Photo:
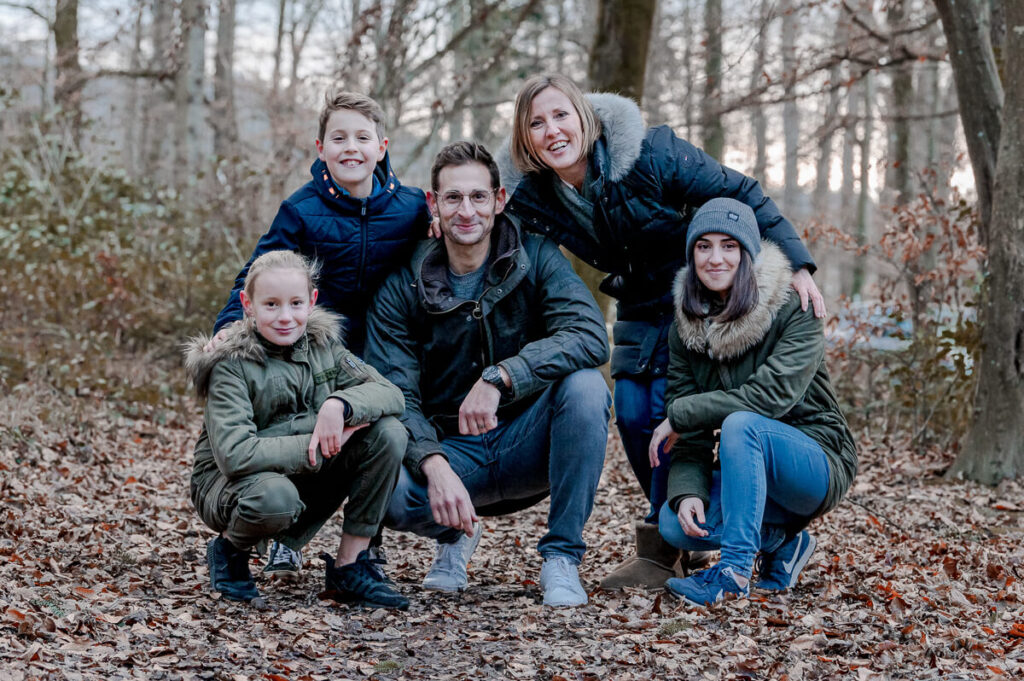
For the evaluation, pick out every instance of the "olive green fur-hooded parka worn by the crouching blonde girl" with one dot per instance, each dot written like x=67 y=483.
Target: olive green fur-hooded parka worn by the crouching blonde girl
x=263 y=400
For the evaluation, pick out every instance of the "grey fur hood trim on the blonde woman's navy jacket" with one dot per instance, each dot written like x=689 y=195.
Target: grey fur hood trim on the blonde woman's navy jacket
x=622 y=127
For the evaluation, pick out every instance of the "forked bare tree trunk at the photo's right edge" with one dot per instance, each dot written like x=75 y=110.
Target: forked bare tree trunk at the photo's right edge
x=995 y=447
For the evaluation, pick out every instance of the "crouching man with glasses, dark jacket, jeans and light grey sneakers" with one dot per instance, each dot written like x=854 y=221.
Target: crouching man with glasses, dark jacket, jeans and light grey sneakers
x=495 y=343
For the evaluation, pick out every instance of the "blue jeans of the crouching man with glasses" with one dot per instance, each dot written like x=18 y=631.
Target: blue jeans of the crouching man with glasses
x=557 y=446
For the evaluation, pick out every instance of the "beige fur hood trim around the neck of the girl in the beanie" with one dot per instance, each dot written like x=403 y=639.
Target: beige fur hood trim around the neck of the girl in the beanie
x=732 y=339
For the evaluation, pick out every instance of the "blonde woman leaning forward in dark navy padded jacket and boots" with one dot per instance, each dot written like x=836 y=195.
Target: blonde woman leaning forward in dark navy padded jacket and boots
x=587 y=173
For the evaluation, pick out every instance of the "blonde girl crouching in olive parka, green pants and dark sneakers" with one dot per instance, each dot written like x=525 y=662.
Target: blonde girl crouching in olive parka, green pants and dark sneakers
x=294 y=424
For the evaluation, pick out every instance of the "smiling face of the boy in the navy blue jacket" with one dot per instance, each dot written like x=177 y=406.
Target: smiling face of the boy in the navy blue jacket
x=352 y=150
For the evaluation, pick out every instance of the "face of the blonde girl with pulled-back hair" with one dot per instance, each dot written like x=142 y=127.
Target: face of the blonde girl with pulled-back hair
x=281 y=305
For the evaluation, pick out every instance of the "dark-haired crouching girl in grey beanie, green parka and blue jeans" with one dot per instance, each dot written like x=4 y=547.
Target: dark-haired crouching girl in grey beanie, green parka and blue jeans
x=746 y=359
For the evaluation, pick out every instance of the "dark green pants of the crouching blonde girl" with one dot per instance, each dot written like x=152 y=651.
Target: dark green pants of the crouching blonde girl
x=293 y=508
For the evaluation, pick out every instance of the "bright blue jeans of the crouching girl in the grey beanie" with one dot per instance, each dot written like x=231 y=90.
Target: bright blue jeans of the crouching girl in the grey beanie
x=773 y=478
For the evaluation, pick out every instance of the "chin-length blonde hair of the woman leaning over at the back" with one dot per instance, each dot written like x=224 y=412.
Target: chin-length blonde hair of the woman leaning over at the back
x=521 y=148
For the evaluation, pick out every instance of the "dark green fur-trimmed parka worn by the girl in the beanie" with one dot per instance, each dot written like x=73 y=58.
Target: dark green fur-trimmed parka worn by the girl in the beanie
x=771 y=362
